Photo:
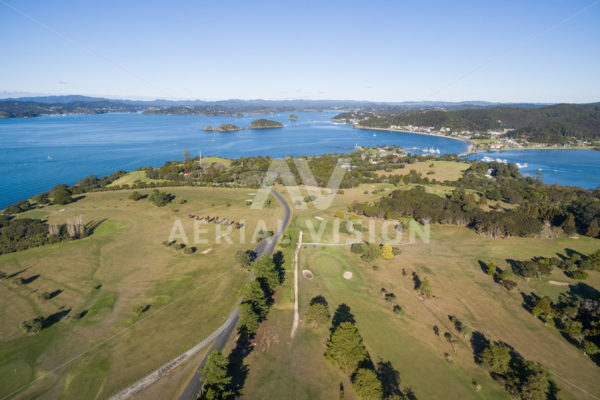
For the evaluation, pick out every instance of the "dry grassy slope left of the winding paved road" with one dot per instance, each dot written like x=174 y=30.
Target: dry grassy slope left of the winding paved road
x=125 y=256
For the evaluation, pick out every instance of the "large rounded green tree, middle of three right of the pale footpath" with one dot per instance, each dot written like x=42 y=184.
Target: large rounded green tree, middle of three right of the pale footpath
x=345 y=348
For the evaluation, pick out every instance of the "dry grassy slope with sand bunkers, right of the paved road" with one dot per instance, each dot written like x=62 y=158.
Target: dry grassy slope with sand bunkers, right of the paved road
x=297 y=369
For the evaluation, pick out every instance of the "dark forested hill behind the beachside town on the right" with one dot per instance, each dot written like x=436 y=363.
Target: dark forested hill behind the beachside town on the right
x=547 y=124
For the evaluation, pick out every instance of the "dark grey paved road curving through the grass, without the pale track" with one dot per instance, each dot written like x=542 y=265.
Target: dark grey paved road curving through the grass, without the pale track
x=263 y=247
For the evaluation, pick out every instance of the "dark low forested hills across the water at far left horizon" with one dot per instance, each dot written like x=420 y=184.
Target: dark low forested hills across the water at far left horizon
x=16 y=108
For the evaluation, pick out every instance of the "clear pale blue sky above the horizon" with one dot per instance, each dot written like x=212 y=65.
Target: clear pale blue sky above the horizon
x=364 y=50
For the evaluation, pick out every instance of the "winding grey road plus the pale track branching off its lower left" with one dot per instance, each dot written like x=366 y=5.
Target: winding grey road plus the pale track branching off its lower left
x=220 y=336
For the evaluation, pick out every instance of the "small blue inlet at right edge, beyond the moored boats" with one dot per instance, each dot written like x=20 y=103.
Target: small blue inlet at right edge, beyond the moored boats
x=565 y=167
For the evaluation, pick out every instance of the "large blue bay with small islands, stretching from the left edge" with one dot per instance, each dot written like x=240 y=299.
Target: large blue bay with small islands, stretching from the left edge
x=79 y=145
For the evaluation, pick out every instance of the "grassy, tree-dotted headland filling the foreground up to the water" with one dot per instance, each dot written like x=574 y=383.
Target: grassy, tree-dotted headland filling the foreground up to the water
x=498 y=301
